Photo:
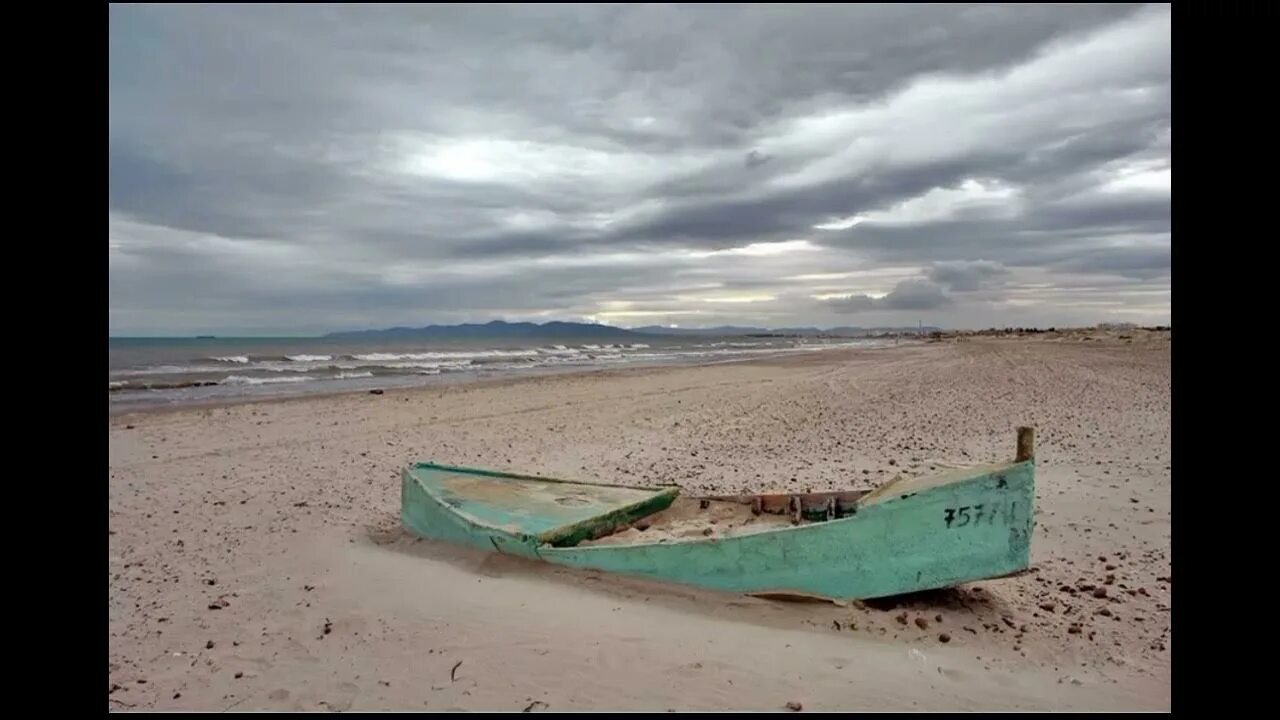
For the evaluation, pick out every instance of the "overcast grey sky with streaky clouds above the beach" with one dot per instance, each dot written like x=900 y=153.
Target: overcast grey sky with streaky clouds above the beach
x=298 y=170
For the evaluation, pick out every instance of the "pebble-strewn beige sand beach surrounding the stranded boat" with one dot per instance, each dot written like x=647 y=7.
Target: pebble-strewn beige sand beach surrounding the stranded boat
x=257 y=560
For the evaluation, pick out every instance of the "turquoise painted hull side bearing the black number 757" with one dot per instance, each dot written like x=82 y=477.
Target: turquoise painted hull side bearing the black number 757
x=894 y=545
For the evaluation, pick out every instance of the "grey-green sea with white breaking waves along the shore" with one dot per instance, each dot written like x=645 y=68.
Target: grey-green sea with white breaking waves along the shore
x=149 y=372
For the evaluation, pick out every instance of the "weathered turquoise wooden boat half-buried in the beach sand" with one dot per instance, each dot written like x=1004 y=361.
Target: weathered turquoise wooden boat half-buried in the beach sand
x=909 y=535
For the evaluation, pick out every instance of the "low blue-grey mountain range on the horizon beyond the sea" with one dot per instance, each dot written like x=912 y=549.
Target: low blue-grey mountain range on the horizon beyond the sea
x=500 y=330
